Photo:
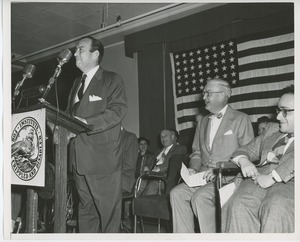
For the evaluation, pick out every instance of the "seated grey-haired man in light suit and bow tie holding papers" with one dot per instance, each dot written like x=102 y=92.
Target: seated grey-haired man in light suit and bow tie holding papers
x=217 y=136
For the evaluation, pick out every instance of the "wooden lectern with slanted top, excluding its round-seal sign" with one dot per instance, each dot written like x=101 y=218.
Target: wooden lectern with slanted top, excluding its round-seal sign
x=64 y=125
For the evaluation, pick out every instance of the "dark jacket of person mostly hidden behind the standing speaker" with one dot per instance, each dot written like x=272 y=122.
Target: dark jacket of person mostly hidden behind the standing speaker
x=130 y=149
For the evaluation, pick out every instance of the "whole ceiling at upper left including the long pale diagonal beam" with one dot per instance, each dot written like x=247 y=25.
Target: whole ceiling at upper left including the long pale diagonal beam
x=39 y=28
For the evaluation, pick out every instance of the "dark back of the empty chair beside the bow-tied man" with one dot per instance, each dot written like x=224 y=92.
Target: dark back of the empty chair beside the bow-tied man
x=174 y=170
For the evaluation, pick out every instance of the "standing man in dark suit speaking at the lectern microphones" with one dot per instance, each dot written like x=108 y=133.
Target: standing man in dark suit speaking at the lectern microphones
x=97 y=98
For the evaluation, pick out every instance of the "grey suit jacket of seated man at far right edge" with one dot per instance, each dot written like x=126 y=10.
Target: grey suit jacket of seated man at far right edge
x=259 y=148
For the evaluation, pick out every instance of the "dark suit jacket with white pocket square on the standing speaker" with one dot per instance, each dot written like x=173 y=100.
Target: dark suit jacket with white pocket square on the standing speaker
x=104 y=105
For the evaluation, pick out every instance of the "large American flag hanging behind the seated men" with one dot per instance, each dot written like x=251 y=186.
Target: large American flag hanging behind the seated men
x=257 y=67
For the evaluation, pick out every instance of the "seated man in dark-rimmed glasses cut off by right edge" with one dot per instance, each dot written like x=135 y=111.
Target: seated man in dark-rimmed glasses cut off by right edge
x=265 y=201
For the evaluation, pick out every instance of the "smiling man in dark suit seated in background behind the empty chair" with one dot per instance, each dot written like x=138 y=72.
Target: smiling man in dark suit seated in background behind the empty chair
x=159 y=162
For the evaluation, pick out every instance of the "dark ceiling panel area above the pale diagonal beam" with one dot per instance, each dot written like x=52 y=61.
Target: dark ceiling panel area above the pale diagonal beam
x=36 y=26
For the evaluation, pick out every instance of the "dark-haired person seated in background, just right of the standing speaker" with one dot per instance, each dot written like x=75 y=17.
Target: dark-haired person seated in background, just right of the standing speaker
x=143 y=155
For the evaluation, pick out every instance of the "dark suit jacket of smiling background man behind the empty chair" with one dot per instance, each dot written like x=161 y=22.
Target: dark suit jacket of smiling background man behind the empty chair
x=175 y=149
